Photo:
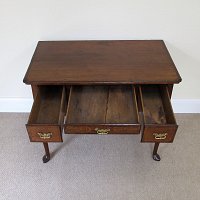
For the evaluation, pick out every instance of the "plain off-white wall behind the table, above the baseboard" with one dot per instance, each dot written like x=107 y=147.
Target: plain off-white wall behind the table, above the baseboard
x=23 y=23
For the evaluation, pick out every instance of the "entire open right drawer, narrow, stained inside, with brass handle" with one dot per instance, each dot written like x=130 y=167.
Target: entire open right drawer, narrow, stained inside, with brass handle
x=159 y=124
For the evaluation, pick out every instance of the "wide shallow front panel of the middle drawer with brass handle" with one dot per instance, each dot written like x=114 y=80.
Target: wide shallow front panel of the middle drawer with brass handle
x=102 y=129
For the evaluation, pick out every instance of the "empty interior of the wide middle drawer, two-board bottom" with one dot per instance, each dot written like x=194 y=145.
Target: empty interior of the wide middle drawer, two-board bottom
x=102 y=105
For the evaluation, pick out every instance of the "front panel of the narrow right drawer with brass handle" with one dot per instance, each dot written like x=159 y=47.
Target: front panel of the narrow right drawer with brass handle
x=159 y=133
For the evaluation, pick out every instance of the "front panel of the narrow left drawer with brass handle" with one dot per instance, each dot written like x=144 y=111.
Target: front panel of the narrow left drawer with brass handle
x=44 y=133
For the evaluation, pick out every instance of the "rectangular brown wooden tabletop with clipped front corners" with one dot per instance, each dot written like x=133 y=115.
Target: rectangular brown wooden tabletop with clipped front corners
x=101 y=62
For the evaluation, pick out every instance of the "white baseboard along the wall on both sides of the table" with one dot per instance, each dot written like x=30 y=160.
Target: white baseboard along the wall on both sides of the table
x=24 y=105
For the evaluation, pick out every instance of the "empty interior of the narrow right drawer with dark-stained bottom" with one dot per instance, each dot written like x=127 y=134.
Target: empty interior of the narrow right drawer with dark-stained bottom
x=156 y=105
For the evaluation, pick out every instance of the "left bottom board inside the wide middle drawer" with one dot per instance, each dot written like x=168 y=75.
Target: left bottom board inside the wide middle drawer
x=87 y=104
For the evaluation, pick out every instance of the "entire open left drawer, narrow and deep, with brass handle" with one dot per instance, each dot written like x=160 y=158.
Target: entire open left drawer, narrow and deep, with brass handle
x=47 y=115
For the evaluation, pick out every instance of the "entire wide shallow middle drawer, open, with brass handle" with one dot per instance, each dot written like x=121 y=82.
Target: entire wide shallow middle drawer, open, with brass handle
x=102 y=110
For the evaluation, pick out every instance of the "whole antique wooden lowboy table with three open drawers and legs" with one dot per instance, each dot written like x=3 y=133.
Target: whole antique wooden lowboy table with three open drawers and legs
x=102 y=87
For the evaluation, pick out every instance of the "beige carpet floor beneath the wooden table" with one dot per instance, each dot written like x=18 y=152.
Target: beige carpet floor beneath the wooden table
x=93 y=167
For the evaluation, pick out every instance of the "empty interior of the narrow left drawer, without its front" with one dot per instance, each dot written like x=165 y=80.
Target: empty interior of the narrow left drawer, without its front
x=47 y=105
